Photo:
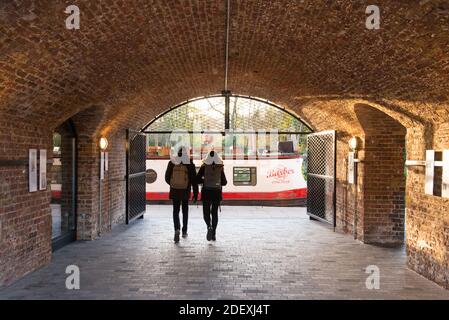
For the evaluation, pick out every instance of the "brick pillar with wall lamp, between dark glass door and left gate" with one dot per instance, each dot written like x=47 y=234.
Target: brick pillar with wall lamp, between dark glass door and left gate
x=89 y=129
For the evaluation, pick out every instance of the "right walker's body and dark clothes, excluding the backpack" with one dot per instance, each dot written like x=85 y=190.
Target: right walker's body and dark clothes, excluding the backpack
x=211 y=197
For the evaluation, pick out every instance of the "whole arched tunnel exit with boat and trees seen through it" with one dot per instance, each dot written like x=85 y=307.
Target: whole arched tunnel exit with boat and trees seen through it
x=263 y=146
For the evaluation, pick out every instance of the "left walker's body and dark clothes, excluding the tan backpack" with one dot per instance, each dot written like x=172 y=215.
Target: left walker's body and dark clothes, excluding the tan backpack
x=181 y=197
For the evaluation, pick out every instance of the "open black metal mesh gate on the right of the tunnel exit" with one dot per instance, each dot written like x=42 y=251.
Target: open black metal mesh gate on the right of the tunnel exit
x=321 y=178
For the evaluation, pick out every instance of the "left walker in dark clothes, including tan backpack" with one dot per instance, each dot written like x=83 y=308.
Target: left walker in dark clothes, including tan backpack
x=181 y=176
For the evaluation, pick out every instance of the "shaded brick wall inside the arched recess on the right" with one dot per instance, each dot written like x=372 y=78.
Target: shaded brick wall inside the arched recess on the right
x=384 y=180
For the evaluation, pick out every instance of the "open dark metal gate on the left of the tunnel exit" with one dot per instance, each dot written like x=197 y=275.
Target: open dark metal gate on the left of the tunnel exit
x=135 y=175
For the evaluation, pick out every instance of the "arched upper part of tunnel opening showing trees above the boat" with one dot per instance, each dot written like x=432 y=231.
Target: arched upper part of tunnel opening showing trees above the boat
x=246 y=126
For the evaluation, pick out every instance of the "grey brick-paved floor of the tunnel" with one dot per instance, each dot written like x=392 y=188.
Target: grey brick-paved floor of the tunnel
x=260 y=253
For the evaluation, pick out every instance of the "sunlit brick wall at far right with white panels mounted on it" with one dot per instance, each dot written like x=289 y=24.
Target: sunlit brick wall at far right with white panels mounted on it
x=427 y=216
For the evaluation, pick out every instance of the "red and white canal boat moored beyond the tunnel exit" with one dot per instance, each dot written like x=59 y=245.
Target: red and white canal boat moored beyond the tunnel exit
x=275 y=179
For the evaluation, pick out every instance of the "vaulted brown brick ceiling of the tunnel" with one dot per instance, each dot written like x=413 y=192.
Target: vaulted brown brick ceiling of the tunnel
x=137 y=58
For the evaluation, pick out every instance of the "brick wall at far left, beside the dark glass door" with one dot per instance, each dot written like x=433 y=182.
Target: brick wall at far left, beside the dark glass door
x=25 y=240
